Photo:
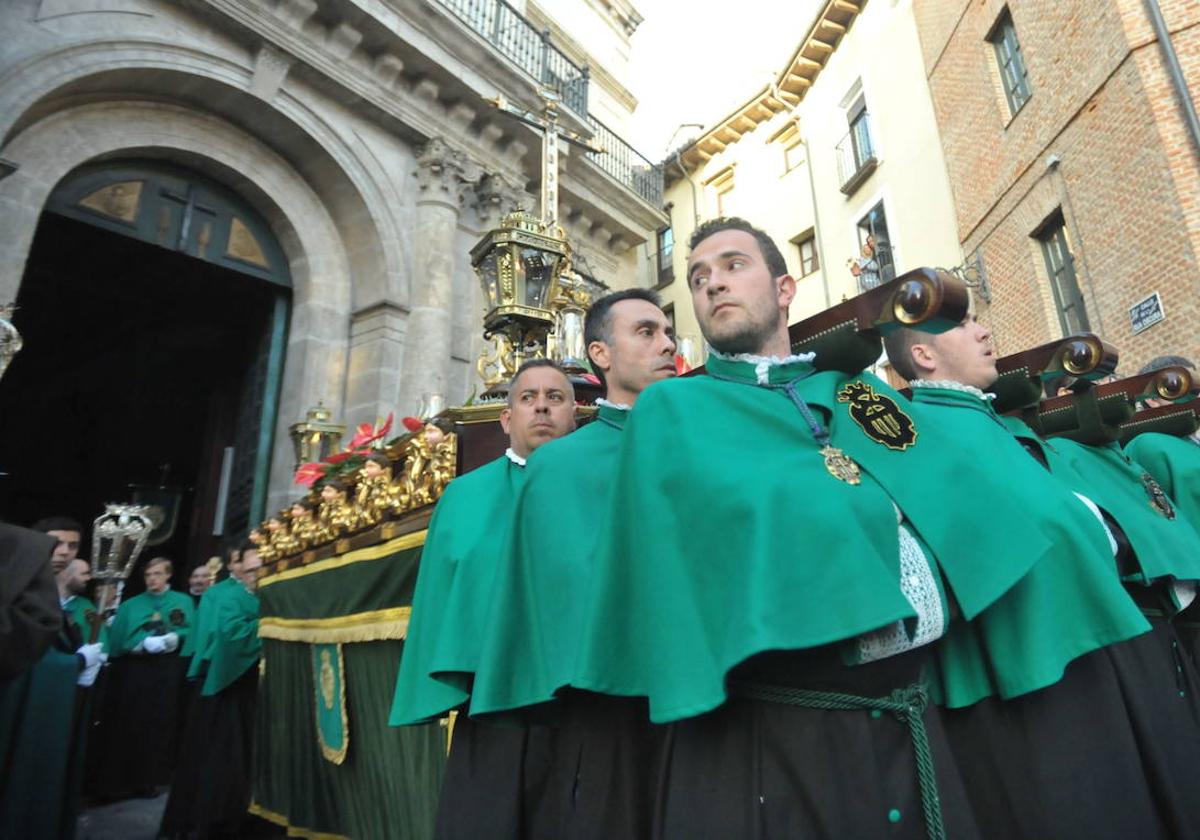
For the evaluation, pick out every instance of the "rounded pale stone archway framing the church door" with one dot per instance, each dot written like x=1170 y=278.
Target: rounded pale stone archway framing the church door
x=321 y=271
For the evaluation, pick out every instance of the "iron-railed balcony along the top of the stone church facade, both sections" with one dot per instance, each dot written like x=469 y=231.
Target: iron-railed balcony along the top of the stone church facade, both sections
x=521 y=43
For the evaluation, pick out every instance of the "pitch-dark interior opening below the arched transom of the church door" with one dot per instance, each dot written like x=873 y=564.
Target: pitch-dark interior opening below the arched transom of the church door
x=135 y=358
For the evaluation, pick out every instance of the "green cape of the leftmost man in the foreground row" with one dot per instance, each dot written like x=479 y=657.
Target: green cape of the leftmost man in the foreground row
x=454 y=592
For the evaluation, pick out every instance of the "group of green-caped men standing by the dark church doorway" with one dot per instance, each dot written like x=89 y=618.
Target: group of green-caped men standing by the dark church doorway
x=119 y=704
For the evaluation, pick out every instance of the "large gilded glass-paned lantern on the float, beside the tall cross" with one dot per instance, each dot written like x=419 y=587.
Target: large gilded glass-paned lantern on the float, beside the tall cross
x=519 y=266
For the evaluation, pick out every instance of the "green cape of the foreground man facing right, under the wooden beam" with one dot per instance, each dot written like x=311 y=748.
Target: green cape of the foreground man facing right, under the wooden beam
x=1070 y=604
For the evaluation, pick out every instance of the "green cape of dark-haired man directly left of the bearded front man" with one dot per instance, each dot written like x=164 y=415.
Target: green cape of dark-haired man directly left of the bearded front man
x=532 y=638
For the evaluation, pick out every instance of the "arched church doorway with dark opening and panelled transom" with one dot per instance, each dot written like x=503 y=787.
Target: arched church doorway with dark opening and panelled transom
x=154 y=315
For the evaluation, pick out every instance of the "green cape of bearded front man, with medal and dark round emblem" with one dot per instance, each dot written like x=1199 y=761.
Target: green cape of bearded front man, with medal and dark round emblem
x=728 y=537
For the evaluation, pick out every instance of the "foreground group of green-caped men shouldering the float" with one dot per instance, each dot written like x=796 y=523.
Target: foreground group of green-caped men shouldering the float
x=782 y=602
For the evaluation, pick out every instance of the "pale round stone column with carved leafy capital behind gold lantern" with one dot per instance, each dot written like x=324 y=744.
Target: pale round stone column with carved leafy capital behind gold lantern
x=445 y=178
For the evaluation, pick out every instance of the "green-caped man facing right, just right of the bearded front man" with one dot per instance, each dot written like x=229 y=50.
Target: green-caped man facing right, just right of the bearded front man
x=1101 y=749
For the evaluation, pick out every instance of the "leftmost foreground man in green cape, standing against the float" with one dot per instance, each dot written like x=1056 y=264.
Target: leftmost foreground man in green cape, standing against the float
x=454 y=592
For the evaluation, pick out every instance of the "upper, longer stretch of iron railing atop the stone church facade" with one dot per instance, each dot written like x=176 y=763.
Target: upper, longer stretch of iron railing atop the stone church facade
x=519 y=40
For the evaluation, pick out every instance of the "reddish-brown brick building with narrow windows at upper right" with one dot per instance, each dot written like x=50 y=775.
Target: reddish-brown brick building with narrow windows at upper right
x=1073 y=171
